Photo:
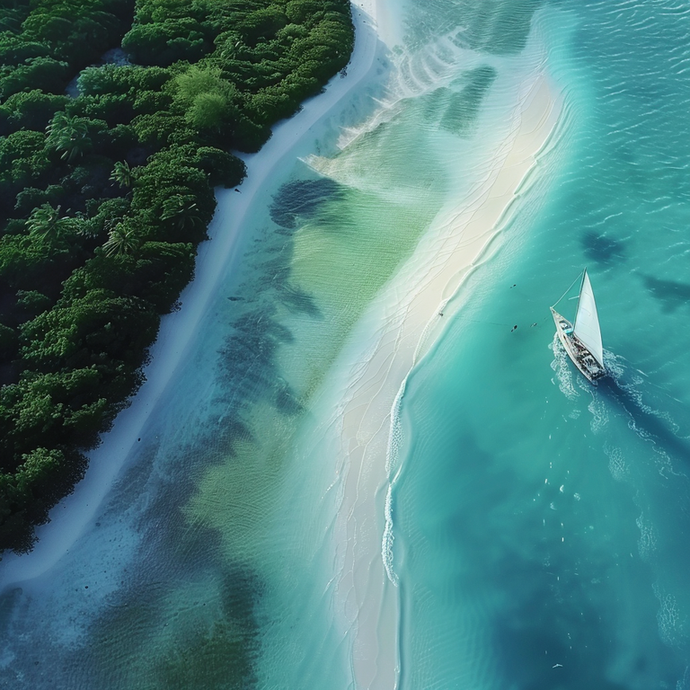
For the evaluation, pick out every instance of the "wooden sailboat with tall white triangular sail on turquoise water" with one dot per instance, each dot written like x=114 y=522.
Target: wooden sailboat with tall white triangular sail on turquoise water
x=582 y=341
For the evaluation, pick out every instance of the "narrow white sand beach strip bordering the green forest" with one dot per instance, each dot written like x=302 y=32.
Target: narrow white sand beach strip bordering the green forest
x=215 y=258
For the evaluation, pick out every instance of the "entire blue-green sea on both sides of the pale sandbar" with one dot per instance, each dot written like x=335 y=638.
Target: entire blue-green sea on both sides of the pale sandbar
x=541 y=524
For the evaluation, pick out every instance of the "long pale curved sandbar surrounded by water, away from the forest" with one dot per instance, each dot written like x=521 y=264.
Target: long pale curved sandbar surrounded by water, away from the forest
x=410 y=315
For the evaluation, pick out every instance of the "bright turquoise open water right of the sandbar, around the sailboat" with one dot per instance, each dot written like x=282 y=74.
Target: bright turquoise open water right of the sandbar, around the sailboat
x=543 y=522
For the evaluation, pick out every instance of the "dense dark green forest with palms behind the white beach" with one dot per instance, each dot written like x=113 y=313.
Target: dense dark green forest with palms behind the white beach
x=105 y=195
